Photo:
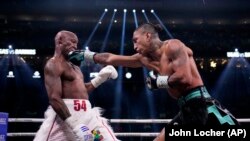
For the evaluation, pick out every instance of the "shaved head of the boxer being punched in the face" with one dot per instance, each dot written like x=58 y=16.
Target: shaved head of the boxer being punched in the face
x=65 y=42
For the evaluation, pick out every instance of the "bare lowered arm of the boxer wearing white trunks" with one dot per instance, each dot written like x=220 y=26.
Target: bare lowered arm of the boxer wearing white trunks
x=53 y=85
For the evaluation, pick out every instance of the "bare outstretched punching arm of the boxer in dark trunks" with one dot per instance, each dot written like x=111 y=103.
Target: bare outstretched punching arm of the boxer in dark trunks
x=118 y=60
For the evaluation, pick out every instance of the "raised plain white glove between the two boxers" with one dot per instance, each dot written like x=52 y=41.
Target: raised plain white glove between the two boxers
x=105 y=74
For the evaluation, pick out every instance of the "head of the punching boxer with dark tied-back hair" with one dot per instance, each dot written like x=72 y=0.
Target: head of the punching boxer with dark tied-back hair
x=144 y=37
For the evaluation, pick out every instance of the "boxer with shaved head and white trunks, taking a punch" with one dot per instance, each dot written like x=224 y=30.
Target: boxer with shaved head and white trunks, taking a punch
x=70 y=116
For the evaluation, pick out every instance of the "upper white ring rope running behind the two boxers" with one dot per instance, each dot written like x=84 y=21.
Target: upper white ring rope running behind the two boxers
x=114 y=120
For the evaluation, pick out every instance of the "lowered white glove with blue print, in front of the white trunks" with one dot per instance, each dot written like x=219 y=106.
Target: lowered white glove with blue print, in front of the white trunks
x=81 y=131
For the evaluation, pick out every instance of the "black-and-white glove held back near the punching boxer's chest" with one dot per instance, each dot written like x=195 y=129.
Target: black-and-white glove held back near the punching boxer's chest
x=155 y=82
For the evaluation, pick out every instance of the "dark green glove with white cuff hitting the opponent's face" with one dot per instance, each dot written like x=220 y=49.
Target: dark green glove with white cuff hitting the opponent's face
x=77 y=56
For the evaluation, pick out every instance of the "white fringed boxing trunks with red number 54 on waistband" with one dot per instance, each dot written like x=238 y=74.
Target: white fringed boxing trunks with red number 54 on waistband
x=54 y=129
